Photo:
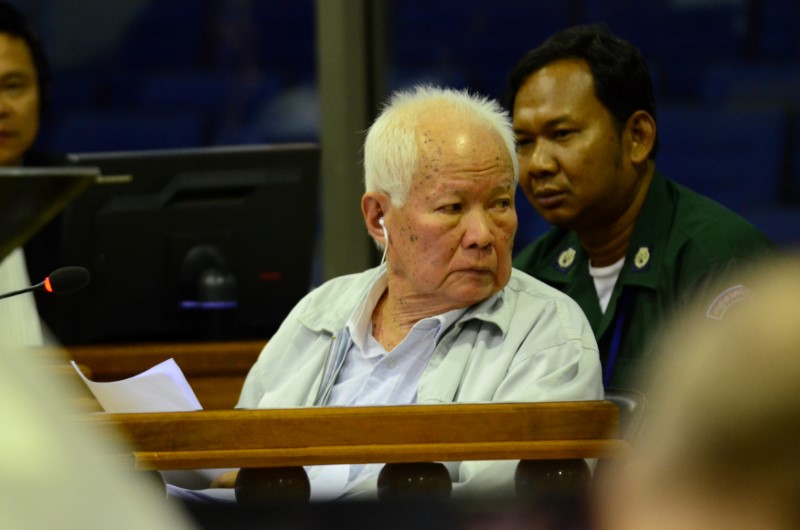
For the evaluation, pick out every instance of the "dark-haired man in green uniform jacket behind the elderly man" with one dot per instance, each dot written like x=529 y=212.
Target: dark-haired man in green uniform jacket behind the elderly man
x=627 y=244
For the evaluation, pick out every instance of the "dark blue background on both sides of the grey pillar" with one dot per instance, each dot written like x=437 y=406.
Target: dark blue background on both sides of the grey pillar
x=143 y=74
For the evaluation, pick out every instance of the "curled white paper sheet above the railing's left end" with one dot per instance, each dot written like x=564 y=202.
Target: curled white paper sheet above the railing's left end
x=162 y=388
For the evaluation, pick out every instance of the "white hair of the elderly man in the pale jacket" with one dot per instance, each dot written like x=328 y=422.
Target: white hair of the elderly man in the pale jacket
x=390 y=149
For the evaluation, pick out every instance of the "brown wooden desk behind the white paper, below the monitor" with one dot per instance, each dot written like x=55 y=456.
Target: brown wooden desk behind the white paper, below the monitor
x=215 y=370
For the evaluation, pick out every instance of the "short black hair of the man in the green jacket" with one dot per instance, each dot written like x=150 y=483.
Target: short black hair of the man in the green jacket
x=621 y=78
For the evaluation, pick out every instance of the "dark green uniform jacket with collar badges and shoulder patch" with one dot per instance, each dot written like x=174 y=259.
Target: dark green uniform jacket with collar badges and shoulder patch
x=681 y=240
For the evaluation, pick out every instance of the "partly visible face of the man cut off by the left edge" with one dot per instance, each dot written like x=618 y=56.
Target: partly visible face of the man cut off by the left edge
x=19 y=100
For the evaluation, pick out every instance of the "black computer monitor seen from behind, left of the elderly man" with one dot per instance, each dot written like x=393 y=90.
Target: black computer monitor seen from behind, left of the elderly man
x=189 y=244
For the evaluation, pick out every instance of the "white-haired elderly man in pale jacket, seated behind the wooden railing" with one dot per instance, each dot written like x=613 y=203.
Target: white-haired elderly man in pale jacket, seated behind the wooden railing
x=445 y=319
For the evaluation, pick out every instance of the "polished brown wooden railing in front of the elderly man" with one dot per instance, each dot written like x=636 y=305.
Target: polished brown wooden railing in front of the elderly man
x=284 y=439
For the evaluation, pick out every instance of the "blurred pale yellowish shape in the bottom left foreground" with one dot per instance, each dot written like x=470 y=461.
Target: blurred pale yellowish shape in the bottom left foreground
x=59 y=471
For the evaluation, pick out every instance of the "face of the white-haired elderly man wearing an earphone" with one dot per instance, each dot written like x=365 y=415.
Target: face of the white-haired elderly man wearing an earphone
x=451 y=241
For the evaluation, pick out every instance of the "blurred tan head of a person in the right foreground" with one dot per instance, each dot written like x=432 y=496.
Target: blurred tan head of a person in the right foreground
x=720 y=449
